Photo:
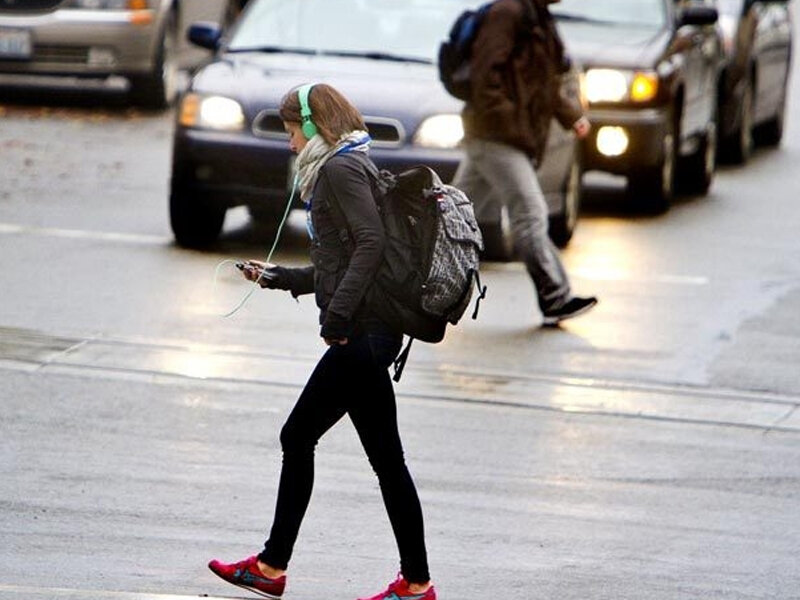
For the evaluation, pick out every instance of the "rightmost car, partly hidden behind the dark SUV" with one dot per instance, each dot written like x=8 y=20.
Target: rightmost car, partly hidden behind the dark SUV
x=757 y=36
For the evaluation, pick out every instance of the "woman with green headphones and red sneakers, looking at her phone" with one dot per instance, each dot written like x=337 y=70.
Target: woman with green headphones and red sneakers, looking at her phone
x=328 y=134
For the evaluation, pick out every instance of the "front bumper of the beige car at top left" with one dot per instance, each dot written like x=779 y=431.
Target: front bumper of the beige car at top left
x=79 y=42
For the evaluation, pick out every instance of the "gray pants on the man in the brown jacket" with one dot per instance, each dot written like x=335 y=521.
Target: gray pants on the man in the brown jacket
x=492 y=173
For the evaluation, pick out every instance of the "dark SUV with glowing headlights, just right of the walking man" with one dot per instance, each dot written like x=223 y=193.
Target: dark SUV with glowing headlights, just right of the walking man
x=652 y=69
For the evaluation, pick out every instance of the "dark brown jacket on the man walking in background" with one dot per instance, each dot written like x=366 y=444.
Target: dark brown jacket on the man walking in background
x=516 y=68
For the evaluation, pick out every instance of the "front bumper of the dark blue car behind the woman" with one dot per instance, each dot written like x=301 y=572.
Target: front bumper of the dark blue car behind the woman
x=232 y=169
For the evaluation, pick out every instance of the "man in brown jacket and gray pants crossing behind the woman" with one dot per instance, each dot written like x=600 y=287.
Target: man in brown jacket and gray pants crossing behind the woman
x=516 y=67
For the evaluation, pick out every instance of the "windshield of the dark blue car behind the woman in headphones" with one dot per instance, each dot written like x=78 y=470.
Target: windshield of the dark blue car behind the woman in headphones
x=402 y=30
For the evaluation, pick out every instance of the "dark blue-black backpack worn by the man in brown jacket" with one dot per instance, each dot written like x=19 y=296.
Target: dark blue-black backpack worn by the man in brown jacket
x=455 y=52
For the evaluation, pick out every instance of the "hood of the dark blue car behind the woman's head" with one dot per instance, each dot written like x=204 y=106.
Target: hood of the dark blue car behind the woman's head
x=376 y=87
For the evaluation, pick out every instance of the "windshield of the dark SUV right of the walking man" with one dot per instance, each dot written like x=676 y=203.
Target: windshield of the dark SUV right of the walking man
x=641 y=13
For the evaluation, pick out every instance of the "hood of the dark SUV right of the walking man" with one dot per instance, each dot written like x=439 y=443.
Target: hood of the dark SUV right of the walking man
x=596 y=45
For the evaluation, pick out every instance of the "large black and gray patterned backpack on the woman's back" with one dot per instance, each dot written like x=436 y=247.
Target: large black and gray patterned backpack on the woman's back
x=430 y=262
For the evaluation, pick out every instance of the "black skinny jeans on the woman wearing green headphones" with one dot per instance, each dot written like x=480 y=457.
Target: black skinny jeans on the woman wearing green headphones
x=352 y=379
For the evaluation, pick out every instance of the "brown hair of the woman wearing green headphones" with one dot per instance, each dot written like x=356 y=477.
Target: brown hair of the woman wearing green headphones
x=331 y=112
